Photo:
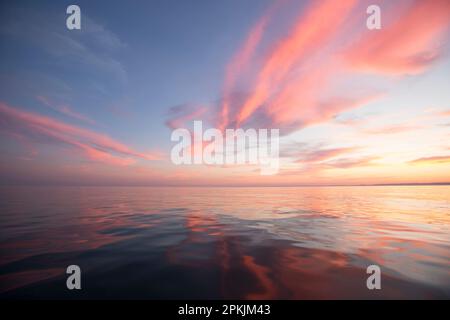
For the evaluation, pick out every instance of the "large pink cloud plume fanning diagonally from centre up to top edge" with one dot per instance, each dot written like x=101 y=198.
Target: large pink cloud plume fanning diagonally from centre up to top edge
x=291 y=89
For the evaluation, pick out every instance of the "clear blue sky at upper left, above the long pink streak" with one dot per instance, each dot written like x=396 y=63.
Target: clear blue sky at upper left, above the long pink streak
x=136 y=59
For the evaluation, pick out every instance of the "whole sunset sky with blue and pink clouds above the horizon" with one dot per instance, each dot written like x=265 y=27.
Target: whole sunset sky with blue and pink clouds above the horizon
x=97 y=106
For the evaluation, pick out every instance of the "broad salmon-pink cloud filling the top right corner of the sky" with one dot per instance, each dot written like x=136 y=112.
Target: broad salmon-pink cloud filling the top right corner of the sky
x=407 y=45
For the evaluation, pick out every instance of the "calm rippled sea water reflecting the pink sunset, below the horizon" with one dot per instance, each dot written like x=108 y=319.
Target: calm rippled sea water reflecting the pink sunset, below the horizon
x=252 y=243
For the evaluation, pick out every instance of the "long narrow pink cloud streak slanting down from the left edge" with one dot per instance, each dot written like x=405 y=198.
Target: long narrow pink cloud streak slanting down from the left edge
x=93 y=145
